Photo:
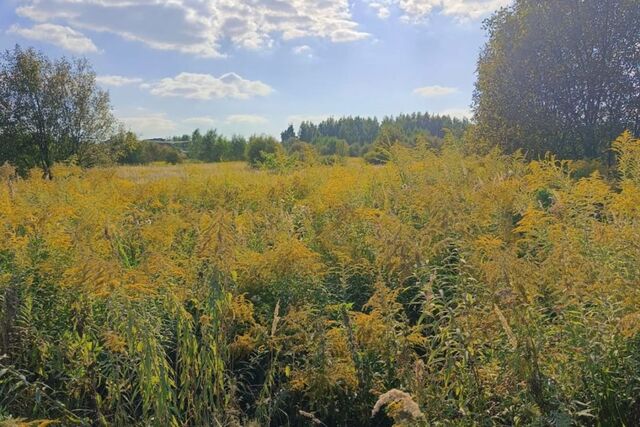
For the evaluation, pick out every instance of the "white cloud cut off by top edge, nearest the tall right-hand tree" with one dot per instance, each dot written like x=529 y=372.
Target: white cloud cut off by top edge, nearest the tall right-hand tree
x=418 y=10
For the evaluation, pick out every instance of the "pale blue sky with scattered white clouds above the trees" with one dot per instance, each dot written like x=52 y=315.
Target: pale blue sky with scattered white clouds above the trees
x=255 y=66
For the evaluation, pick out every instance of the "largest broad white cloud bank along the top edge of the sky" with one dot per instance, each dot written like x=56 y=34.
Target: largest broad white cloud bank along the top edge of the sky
x=200 y=27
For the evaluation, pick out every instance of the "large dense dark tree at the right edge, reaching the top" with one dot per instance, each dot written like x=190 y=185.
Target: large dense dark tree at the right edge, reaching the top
x=559 y=76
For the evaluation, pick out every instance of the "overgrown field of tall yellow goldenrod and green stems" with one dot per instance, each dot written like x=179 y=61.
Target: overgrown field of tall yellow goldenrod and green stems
x=438 y=289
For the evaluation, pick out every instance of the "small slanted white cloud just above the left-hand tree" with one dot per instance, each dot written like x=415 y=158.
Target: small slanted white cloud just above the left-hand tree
x=61 y=36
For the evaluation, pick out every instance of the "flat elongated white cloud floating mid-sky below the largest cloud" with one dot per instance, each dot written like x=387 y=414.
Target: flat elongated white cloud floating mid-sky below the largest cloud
x=206 y=86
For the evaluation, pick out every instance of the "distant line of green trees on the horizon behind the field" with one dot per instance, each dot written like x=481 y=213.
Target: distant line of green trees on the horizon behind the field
x=343 y=136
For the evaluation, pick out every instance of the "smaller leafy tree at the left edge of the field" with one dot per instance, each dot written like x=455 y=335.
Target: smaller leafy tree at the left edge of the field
x=51 y=111
